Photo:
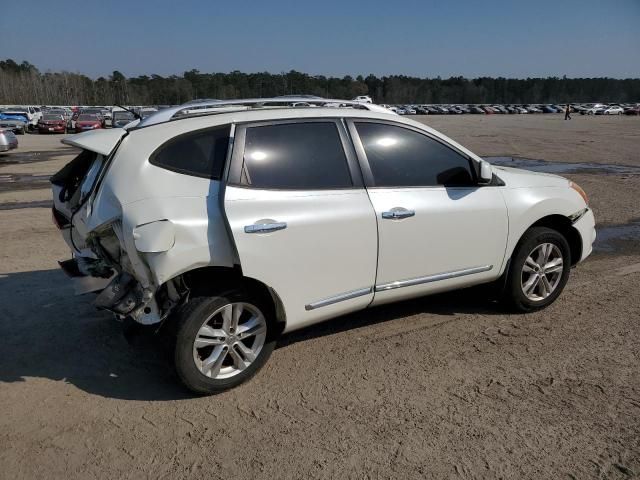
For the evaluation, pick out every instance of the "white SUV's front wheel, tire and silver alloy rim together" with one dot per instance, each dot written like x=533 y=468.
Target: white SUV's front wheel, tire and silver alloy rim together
x=539 y=269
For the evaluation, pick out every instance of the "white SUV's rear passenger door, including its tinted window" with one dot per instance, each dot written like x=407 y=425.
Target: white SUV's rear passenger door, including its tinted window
x=300 y=217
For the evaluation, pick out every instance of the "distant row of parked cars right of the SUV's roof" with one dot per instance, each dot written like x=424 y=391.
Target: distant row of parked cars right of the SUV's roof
x=584 y=109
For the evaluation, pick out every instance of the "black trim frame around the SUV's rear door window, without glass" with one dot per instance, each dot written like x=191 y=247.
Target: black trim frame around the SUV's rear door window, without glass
x=237 y=156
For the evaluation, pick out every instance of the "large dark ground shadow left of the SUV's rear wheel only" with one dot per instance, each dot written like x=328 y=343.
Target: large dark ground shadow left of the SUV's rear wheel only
x=47 y=332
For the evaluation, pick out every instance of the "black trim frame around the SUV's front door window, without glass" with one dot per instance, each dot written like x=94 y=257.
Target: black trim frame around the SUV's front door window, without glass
x=366 y=168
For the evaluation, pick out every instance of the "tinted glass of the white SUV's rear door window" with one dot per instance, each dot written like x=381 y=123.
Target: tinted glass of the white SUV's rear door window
x=295 y=156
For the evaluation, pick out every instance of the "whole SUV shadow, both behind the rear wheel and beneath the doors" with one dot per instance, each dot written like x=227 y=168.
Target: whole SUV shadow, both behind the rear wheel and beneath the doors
x=49 y=333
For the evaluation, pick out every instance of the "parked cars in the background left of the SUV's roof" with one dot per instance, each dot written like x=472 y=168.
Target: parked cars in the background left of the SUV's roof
x=22 y=119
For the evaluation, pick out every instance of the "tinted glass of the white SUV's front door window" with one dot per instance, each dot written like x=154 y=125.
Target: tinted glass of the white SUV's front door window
x=402 y=157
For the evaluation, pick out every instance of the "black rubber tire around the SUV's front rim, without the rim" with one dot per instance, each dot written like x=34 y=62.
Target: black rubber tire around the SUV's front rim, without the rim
x=514 y=295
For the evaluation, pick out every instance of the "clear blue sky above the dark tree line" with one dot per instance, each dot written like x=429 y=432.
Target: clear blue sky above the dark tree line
x=517 y=38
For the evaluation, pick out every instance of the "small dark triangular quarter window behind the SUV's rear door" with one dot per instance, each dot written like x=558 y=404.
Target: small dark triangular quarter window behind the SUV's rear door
x=200 y=154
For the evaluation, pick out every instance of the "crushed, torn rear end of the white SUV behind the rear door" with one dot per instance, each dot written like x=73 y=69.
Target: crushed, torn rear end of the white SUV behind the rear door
x=121 y=217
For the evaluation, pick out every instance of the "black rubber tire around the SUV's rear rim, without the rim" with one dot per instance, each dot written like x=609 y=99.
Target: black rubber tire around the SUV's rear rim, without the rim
x=188 y=321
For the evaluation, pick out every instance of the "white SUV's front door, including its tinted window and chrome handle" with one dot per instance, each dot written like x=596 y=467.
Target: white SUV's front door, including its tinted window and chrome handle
x=438 y=229
